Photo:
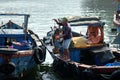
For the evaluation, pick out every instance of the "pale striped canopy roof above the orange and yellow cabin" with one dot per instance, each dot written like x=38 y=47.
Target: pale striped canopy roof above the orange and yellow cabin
x=84 y=21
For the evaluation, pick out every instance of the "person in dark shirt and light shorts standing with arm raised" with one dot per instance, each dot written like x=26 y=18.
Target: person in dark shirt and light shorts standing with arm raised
x=67 y=36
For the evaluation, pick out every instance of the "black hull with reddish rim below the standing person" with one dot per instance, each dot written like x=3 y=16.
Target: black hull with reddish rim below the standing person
x=79 y=71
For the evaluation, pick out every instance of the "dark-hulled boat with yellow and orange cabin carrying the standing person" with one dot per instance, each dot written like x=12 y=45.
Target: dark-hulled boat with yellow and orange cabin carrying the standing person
x=90 y=58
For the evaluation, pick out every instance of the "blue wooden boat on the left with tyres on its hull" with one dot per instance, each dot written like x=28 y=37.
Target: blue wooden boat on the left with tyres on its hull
x=20 y=48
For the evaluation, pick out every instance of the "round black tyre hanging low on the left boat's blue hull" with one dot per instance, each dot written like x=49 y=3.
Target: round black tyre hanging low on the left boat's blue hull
x=7 y=68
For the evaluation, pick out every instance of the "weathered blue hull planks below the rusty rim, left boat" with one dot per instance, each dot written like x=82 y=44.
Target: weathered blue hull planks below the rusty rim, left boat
x=21 y=64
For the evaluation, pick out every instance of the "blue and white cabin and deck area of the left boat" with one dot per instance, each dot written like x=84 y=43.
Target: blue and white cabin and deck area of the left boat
x=14 y=35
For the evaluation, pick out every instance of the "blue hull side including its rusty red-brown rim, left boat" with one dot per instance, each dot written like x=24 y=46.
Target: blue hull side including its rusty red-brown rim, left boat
x=23 y=60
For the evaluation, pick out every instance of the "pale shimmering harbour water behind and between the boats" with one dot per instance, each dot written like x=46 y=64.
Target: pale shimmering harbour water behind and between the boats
x=43 y=11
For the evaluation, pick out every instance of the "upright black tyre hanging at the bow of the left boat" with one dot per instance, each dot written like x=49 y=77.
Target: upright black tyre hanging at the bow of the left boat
x=39 y=56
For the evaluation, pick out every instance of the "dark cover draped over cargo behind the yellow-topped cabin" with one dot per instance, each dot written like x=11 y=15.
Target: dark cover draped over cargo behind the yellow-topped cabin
x=103 y=55
